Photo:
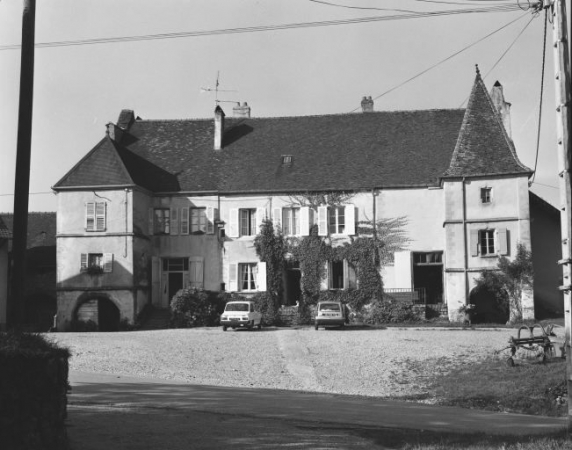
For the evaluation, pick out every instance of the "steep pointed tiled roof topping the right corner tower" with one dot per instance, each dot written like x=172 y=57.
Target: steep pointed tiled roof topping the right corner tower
x=483 y=147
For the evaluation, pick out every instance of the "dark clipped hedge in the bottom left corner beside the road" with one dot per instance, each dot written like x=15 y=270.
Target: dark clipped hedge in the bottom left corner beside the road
x=33 y=393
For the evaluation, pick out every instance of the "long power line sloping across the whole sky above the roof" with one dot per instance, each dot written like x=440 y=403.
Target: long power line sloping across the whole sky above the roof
x=255 y=29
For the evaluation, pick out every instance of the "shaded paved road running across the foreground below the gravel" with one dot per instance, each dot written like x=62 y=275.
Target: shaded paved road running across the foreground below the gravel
x=136 y=413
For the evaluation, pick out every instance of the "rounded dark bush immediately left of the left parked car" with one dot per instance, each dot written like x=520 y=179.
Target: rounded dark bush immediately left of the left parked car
x=196 y=308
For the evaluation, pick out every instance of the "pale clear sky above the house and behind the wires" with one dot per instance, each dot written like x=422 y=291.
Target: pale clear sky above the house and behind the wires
x=293 y=71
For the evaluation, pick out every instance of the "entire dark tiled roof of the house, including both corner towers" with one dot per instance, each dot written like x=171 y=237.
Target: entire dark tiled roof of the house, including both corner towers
x=330 y=152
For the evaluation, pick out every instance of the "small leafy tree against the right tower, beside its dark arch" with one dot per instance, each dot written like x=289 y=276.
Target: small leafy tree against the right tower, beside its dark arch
x=509 y=280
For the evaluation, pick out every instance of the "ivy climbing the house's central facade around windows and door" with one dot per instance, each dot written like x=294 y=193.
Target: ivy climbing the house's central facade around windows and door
x=371 y=248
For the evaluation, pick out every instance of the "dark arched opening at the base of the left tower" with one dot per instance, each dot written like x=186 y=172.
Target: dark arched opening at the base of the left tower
x=99 y=308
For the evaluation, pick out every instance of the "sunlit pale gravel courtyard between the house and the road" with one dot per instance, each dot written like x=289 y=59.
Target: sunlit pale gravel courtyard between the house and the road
x=373 y=362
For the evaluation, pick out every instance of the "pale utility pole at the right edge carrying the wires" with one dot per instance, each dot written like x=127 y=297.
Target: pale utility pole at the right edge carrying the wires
x=564 y=149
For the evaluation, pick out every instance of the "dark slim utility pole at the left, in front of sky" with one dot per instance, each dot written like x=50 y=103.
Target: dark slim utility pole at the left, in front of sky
x=23 y=154
